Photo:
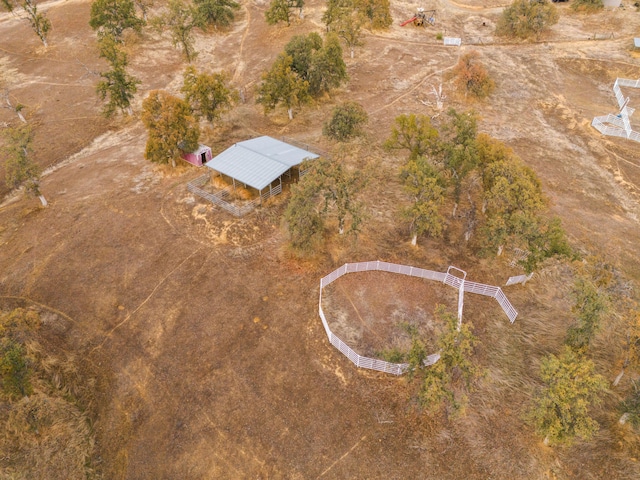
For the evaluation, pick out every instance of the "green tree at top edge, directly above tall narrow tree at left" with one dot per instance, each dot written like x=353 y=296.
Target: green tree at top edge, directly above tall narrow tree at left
x=113 y=17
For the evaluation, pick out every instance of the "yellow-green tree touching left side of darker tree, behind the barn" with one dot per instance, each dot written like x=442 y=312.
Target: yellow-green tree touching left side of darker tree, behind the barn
x=282 y=85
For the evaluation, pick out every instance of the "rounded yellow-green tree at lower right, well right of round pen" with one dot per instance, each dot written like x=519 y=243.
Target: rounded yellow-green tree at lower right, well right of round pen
x=560 y=409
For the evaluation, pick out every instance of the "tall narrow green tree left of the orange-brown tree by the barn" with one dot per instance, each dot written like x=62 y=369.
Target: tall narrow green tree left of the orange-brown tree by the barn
x=116 y=84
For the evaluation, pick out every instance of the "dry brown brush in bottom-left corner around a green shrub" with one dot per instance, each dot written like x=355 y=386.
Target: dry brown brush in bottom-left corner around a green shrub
x=47 y=435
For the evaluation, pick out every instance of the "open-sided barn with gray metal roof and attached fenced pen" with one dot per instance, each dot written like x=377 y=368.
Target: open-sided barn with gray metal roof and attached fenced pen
x=257 y=166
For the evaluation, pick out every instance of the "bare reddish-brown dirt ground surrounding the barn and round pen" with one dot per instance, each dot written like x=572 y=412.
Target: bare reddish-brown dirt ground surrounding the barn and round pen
x=208 y=331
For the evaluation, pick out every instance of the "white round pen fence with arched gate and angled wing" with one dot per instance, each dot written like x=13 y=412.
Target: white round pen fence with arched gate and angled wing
x=461 y=284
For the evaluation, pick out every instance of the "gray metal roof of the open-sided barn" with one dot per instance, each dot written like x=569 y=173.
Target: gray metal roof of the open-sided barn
x=259 y=161
